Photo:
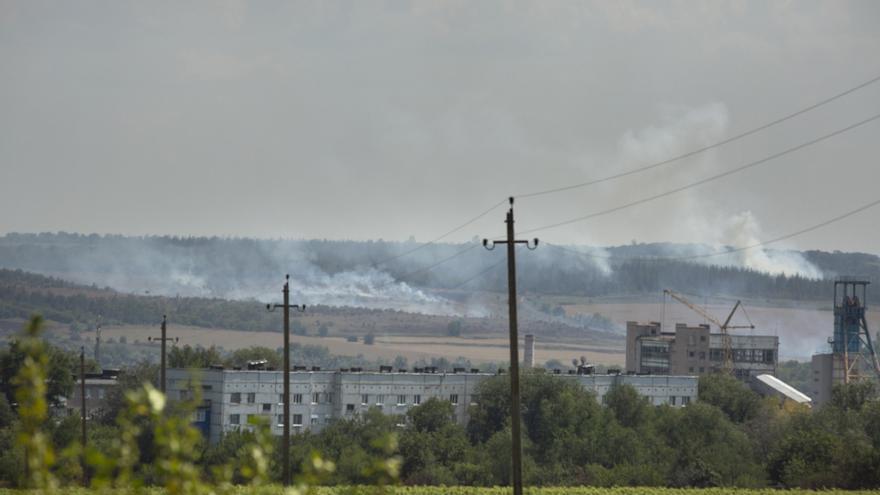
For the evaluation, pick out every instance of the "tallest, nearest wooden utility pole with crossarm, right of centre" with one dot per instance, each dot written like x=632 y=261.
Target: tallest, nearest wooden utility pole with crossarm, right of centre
x=515 y=413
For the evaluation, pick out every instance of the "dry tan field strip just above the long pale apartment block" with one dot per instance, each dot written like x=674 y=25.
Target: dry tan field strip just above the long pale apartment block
x=476 y=349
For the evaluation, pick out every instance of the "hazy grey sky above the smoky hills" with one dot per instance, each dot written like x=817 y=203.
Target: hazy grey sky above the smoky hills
x=385 y=119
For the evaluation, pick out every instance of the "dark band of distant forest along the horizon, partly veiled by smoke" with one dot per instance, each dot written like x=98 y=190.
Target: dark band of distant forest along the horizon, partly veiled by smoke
x=225 y=263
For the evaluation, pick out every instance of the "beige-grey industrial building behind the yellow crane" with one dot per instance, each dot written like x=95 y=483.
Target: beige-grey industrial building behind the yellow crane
x=694 y=350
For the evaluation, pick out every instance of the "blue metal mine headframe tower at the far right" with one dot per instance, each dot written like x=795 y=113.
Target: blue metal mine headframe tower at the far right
x=851 y=343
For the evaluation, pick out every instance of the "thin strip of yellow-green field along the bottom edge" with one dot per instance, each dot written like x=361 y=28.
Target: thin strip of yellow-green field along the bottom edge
x=468 y=490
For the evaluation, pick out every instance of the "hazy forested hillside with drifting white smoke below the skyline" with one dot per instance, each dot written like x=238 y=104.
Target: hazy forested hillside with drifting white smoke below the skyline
x=370 y=273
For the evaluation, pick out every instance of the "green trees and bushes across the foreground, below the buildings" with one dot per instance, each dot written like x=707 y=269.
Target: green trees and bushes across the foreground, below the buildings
x=729 y=438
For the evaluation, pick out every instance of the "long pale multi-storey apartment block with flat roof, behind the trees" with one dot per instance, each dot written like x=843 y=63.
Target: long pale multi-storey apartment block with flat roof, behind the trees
x=230 y=397
